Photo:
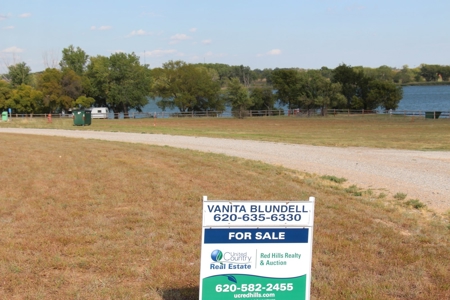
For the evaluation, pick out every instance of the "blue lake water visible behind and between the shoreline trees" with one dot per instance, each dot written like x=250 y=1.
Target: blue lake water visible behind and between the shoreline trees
x=415 y=98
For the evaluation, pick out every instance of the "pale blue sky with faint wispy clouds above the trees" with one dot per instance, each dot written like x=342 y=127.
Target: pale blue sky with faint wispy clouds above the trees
x=260 y=34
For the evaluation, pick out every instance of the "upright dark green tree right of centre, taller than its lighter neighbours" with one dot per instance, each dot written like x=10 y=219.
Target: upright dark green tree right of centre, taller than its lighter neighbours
x=287 y=83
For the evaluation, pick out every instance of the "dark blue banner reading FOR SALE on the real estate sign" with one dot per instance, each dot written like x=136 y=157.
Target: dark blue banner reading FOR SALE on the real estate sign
x=247 y=235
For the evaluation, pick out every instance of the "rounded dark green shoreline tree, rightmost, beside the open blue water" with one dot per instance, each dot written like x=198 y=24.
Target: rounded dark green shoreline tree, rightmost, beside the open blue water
x=385 y=94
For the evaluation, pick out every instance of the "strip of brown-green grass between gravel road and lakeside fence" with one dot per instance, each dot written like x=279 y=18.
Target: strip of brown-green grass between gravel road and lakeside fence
x=376 y=131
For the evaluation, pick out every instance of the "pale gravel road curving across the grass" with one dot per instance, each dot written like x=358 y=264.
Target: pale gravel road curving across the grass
x=421 y=175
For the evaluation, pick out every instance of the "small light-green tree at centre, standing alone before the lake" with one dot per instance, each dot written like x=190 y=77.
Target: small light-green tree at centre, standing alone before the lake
x=237 y=96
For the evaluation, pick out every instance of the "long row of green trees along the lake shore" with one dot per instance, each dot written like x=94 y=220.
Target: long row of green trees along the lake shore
x=120 y=82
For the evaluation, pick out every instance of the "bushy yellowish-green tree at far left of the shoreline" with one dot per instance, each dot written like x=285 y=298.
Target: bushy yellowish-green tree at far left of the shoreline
x=25 y=99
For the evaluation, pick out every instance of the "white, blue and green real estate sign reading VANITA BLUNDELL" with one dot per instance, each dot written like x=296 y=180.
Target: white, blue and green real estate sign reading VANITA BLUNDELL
x=256 y=250
